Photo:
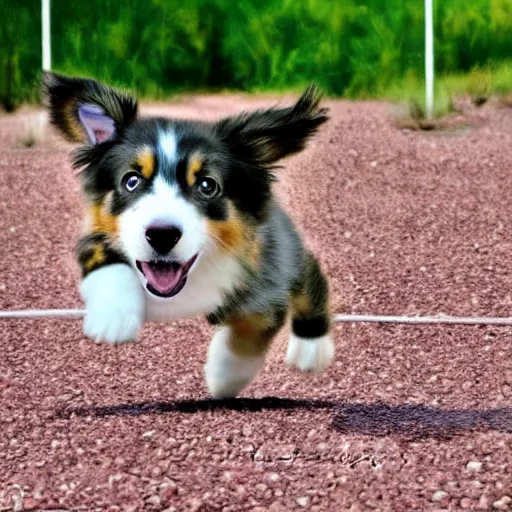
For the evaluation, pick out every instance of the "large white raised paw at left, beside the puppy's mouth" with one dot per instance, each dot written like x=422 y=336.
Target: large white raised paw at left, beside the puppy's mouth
x=114 y=304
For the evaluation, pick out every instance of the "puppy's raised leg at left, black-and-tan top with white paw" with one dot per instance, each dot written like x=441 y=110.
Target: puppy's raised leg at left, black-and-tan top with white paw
x=114 y=298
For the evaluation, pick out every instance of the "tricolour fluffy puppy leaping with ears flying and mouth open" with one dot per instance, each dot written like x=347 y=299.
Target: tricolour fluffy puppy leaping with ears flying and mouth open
x=182 y=221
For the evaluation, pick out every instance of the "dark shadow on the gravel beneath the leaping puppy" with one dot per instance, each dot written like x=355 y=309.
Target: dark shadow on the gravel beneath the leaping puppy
x=413 y=422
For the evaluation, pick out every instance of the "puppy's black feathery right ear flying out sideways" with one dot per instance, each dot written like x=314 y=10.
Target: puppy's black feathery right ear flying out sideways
x=265 y=136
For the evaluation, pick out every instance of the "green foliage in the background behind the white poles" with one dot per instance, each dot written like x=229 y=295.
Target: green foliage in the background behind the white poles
x=157 y=47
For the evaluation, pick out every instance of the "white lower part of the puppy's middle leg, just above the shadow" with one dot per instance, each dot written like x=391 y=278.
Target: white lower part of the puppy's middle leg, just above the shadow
x=226 y=373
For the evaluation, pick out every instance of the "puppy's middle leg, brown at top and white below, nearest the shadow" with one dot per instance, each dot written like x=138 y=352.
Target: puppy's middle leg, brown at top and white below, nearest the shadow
x=237 y=352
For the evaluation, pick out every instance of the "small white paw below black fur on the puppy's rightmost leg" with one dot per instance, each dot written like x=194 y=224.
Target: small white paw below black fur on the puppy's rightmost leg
x=310 y=354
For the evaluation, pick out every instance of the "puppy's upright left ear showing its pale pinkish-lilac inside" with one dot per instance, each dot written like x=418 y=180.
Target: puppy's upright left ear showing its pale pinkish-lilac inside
x=85 y=110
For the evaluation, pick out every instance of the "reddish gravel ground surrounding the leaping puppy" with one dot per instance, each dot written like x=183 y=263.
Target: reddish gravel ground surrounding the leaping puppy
x=407 y=418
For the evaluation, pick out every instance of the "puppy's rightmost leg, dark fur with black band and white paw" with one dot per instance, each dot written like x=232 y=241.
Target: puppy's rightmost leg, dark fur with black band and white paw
x=311 y=345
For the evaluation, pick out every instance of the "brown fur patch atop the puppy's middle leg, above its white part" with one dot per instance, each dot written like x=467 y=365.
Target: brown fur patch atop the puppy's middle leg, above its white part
x=248 y=338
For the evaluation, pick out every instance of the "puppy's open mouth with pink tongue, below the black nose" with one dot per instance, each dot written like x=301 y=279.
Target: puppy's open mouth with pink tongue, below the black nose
x=165 y=278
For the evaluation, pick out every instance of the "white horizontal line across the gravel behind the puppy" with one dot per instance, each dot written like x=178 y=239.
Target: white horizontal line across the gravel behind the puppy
x=71 y=314
